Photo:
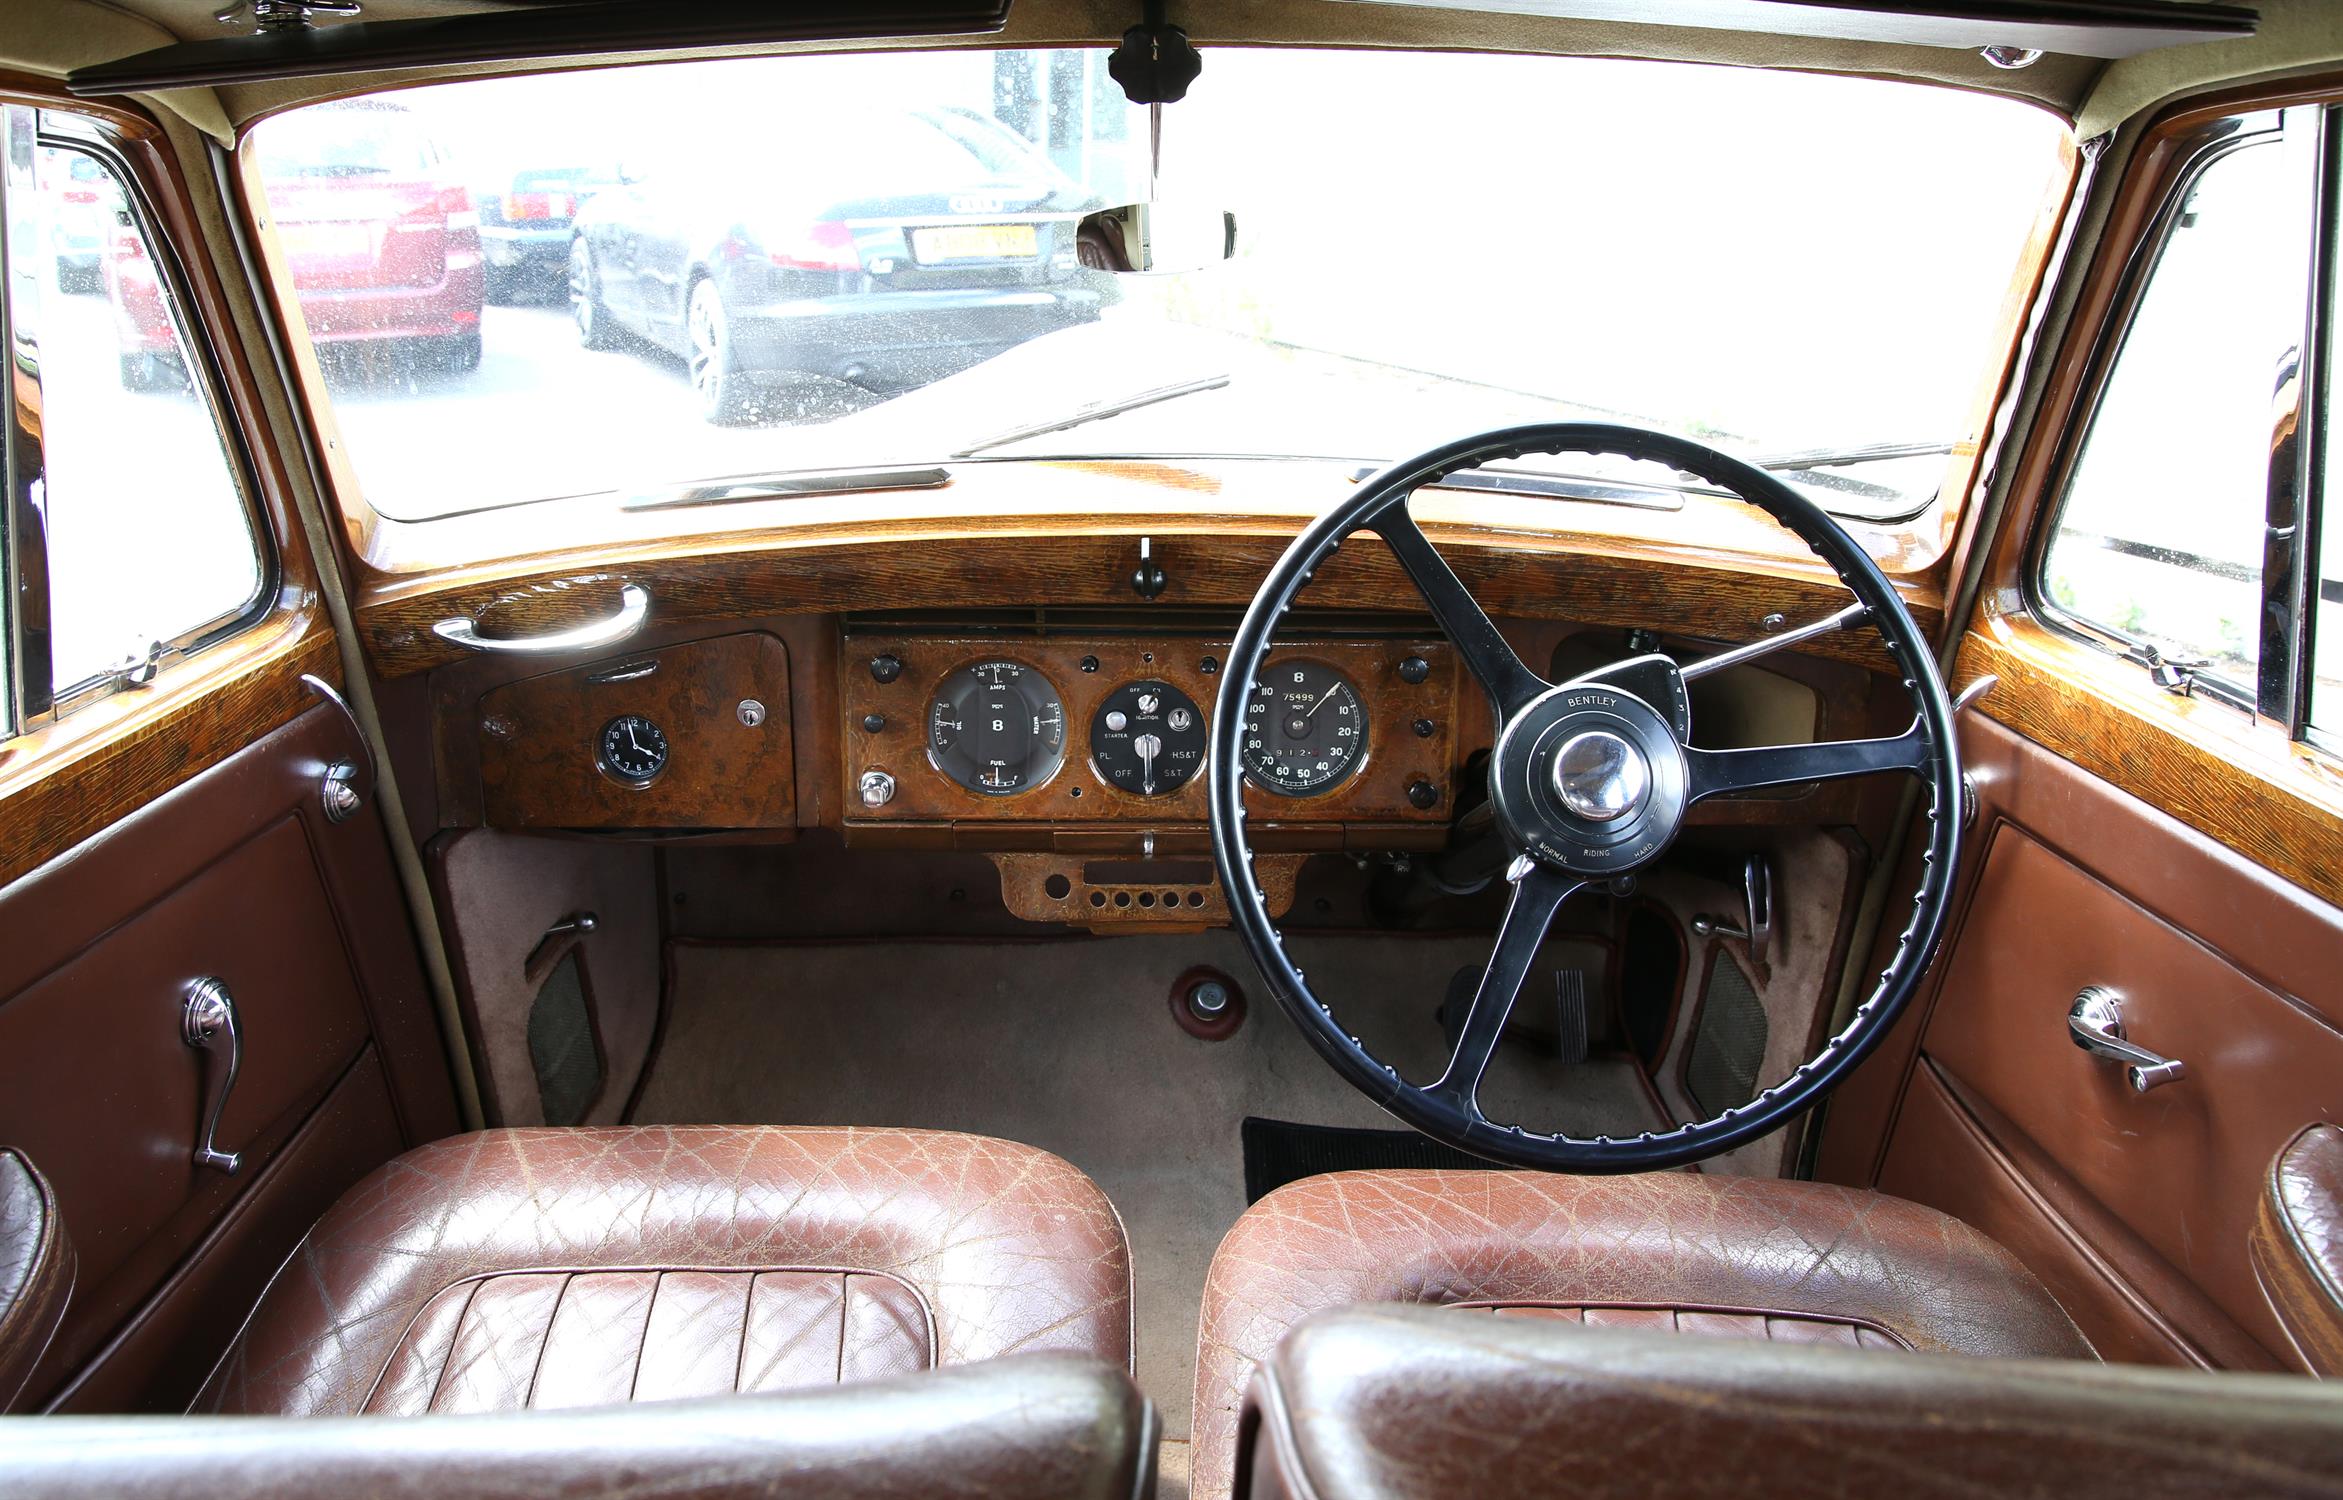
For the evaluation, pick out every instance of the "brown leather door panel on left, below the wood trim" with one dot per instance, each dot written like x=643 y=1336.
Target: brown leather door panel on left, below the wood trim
x=233 y=875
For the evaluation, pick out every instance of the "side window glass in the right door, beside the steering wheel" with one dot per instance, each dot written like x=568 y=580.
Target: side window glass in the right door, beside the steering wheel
x=2161 y=536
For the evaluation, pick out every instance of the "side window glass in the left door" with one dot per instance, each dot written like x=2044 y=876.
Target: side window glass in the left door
x=149 y=533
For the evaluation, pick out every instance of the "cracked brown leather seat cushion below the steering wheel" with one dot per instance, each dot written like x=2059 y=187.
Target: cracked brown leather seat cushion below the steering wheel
x=1737 y=1257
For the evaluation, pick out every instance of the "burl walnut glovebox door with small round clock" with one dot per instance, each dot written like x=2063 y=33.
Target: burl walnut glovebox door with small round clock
x=713 y=711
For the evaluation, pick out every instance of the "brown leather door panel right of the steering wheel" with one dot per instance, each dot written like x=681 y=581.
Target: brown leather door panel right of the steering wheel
x=2136 y=1208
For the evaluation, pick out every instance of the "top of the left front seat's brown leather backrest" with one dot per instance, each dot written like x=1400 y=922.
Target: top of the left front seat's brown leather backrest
x=1020 y=1429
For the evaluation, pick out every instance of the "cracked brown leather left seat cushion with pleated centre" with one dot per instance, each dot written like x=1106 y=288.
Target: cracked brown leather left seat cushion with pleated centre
x=575 y=1267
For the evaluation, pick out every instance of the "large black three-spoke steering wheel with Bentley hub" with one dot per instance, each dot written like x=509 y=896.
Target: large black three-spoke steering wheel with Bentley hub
x=1590 y=782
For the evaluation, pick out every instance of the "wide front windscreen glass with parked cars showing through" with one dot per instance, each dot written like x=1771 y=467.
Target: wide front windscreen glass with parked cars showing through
x=601 y=287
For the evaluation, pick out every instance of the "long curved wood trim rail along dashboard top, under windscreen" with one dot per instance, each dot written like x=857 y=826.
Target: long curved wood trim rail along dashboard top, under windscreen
x=1086 y=561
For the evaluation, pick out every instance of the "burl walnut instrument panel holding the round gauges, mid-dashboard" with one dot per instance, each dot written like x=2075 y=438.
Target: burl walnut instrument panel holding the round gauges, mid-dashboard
x=894 y=695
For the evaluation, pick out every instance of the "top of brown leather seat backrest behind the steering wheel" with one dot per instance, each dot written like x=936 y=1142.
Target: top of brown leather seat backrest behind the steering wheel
x=1409 y=1405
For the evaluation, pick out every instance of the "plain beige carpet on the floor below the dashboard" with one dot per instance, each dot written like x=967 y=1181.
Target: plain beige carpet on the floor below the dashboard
x=1070 y=1046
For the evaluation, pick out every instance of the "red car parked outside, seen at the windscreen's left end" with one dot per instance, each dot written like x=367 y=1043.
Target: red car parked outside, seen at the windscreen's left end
x=378 y=233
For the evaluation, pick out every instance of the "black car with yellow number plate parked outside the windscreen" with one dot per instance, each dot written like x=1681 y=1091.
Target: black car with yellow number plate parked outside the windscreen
x=889 y=254
